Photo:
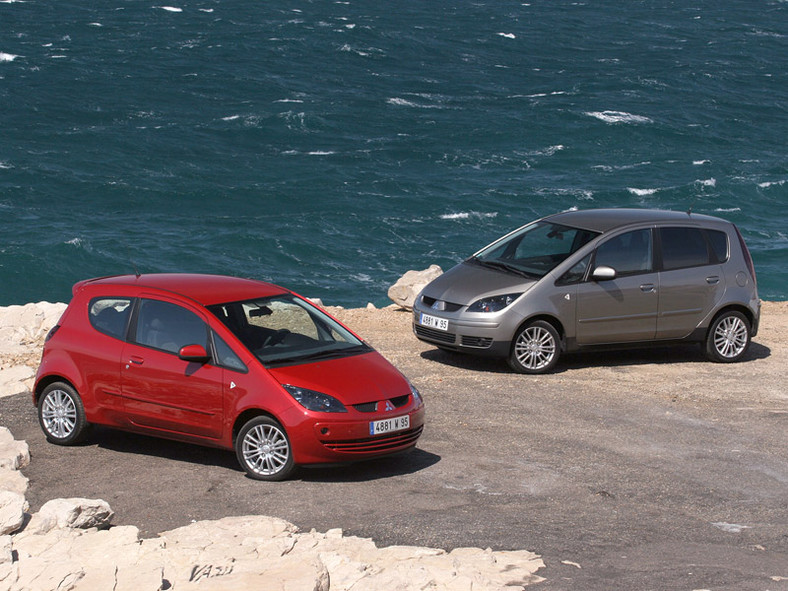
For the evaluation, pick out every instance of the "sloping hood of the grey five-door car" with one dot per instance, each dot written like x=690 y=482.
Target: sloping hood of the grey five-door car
x=466 y=283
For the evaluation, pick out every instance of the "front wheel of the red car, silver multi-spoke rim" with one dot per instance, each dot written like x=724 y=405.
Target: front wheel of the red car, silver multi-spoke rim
x=263 y=450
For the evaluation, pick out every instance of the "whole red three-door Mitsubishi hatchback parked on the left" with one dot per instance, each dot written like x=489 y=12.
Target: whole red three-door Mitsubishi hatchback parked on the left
x=225 y=362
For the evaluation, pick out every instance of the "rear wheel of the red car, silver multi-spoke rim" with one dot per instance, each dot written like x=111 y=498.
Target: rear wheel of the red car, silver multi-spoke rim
x=61 y=414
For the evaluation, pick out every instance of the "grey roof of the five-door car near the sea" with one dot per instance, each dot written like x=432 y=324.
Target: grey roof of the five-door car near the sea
x=604 y=220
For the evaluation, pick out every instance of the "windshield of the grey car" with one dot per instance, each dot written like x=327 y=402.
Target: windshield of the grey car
x=534 y=250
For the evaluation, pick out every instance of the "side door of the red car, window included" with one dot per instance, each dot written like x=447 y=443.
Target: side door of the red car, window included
x=160 y=391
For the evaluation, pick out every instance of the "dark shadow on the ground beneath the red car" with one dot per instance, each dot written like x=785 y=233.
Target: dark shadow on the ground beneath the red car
x=125 y=442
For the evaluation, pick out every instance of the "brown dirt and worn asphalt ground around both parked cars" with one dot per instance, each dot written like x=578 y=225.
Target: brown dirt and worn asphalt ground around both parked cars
x=641 y=469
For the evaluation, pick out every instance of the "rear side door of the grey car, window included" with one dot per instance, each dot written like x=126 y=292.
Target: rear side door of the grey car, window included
x=691 y=280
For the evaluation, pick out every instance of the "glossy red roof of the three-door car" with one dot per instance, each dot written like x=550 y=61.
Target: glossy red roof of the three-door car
x=204 y=289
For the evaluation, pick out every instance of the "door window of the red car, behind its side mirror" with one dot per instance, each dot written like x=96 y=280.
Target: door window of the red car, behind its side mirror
x=169 y=327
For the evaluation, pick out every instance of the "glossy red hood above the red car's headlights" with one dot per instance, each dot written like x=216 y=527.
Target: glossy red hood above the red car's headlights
x=351 y=380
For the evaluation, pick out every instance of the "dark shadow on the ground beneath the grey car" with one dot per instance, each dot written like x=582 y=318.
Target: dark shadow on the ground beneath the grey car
x=615 y=357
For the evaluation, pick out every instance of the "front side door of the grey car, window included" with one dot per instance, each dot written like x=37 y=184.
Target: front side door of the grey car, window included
x=622 y=308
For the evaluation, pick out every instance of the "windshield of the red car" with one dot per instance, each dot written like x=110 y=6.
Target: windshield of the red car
x=283 y=330
